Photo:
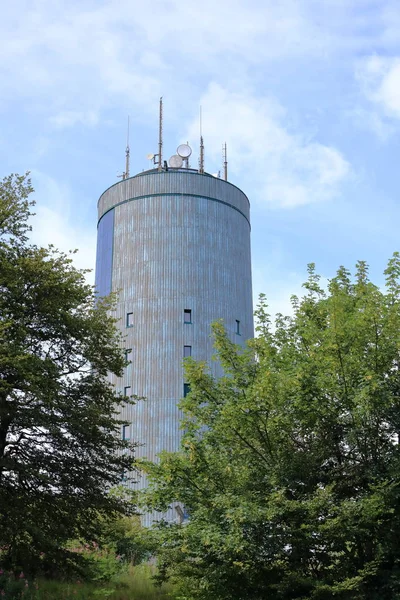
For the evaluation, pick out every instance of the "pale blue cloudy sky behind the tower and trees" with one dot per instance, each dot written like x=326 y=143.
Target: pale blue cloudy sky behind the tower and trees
x=306 y=94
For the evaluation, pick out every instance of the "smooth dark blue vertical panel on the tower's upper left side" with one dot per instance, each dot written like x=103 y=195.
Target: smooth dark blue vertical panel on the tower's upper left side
x=104 y=254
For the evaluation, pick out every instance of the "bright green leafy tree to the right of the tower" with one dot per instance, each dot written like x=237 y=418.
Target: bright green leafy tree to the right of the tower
x=289 y=467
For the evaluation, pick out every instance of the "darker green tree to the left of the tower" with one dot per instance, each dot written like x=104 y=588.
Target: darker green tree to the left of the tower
x=60 y=446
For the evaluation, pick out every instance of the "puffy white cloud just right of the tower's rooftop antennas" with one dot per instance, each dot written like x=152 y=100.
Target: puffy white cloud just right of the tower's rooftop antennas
x=287 y=169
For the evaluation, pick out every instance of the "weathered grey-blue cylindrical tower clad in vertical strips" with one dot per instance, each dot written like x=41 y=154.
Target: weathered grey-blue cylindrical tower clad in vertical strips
x=175 y=245
